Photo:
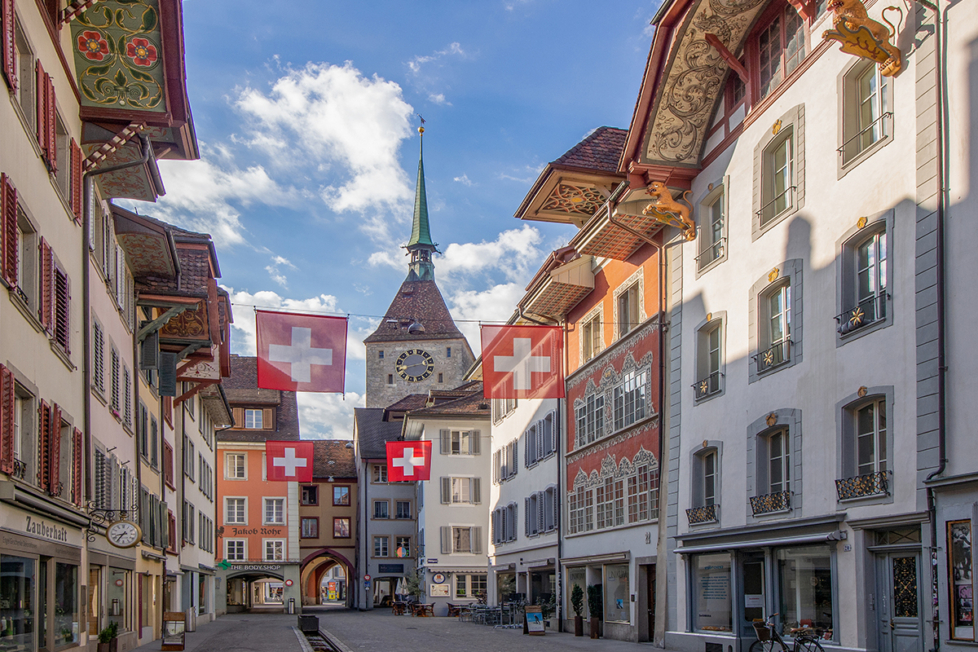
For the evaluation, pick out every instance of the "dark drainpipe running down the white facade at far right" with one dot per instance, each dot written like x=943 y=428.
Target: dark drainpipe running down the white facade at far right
x=942 y=165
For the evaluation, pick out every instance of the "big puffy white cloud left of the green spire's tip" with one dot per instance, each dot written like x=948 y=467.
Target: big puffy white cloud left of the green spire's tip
x=332 y=119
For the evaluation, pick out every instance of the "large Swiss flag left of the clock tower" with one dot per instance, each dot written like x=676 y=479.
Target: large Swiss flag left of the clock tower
x=301 y=353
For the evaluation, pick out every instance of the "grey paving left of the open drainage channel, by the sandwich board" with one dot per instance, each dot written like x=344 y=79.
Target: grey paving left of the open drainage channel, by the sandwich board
x=264 y=632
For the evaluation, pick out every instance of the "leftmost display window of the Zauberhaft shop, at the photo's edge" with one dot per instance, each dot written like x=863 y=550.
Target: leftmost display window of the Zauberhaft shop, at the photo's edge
x=17 y=605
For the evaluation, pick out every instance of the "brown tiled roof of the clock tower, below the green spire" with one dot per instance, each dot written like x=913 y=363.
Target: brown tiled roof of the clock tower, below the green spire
x=419 y=301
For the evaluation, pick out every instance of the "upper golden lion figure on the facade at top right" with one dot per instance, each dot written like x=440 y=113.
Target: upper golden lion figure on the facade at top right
x=864 y=37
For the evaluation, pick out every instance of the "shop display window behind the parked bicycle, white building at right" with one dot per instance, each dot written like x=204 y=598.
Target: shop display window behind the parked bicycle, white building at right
x=805 y=587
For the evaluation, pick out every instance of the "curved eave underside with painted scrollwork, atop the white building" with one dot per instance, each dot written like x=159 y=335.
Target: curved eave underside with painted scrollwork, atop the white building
x=694 y=78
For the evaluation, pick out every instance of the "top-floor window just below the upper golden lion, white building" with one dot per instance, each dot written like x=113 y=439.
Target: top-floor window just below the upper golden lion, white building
x=866 y=114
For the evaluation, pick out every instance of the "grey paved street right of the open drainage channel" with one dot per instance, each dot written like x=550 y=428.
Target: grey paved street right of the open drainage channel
x=380 y=631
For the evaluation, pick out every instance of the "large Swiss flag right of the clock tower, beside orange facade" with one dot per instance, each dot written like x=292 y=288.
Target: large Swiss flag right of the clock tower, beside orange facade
x=523 y=361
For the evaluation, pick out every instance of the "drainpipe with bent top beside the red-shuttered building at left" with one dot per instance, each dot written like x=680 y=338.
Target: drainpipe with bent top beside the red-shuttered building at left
x=86 y=297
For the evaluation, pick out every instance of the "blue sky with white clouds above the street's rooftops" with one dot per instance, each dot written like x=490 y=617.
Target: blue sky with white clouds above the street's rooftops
x=305 y=113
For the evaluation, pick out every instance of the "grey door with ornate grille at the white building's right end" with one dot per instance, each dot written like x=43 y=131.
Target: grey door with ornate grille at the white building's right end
x=899 y=613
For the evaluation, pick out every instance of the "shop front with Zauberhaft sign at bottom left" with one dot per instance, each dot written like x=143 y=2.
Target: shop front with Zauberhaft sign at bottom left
x=41 y=594
